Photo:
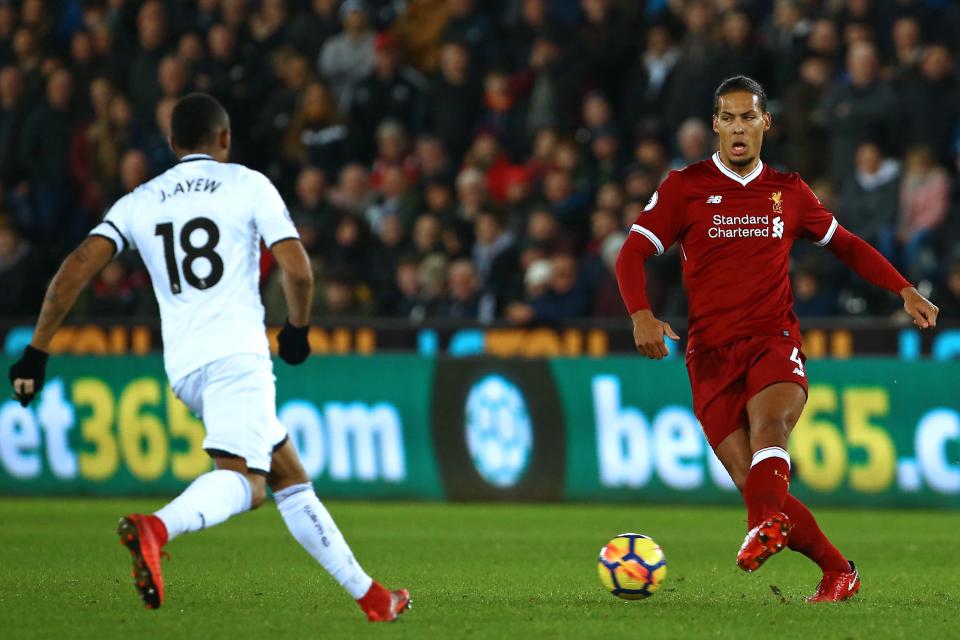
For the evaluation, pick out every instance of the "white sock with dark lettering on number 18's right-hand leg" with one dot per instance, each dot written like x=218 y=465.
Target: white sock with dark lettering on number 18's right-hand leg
x=313 y=527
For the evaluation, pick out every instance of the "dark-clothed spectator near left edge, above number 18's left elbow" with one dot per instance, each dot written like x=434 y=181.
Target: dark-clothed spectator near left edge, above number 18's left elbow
x=45 y=151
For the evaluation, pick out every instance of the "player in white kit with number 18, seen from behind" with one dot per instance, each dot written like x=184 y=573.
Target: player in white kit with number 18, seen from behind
x=198 y=228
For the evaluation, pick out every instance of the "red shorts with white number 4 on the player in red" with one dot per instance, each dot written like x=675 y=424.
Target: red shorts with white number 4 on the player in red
x=725 y=378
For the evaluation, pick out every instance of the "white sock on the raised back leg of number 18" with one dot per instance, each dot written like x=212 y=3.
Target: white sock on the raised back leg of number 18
x=208 y=501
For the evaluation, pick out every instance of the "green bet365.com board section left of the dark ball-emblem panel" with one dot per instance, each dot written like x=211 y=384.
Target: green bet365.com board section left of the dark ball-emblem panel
x=112 y=426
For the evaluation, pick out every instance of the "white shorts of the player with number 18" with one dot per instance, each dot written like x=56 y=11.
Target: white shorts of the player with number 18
x=236 y=399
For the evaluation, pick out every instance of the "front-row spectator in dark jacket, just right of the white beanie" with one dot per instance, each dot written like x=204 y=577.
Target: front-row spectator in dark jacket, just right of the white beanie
x=565 y=297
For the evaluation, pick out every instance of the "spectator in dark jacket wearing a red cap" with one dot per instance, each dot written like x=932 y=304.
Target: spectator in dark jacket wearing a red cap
x=391 y=91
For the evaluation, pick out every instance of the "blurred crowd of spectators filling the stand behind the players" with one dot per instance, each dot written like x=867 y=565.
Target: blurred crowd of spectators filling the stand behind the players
x=480 y=159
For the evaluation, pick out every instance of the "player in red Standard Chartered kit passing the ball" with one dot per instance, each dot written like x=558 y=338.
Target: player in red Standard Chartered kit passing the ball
x=735 y=219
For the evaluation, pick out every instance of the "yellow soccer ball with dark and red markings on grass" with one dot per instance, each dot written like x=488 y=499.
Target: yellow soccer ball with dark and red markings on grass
x=632 y=566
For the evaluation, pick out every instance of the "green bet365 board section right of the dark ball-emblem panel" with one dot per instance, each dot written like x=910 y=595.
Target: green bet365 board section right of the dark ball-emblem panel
x=874 y=432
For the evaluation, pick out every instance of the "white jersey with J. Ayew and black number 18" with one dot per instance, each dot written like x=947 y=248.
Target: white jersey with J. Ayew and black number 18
x=198 y=228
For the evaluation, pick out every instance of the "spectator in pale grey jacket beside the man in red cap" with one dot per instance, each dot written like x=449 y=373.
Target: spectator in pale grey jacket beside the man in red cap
x=347 y=58
